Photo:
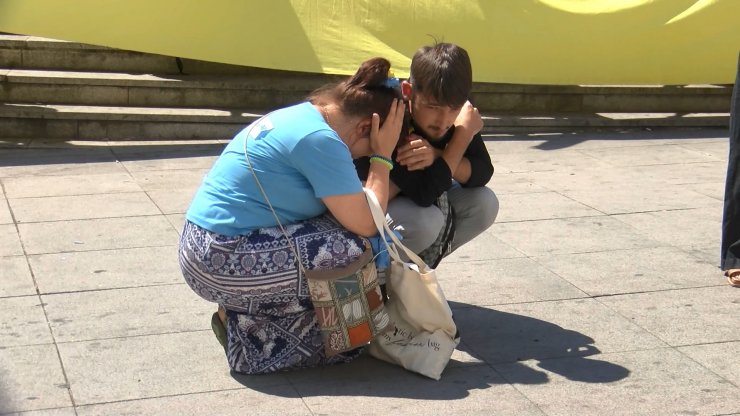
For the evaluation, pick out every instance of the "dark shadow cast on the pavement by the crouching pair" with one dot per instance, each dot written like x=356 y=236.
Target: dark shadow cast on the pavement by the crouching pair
x=497 y=341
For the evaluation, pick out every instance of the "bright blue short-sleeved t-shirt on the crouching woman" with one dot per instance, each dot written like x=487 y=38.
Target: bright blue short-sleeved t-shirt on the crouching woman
x=298 y=160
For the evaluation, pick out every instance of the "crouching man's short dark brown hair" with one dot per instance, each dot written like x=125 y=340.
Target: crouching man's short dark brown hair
x=443 y=72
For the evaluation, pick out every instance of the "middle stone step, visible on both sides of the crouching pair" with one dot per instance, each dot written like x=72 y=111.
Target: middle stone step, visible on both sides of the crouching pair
x=271 y=91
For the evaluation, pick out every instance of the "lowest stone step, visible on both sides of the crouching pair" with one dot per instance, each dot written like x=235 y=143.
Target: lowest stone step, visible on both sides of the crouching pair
x=64 y=122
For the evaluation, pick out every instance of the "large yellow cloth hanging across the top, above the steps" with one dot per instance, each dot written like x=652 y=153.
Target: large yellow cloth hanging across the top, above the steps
x=510 y=41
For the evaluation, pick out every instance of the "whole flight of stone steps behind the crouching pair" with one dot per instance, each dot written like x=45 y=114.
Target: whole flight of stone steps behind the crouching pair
x=70 y=91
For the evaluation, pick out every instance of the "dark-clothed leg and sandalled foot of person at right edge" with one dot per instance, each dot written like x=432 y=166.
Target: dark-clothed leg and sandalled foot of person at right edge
x=730 y=246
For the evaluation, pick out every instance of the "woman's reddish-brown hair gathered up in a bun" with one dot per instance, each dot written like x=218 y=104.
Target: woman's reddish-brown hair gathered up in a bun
x=363 y=94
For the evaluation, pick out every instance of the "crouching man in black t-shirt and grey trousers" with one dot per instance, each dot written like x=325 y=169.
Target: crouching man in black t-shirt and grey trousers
x=443 y=153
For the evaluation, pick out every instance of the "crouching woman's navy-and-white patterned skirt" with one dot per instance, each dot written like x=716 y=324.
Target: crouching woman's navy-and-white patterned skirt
x=271 y=324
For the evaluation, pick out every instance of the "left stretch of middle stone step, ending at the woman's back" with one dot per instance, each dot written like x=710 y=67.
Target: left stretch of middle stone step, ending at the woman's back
x=142 y=90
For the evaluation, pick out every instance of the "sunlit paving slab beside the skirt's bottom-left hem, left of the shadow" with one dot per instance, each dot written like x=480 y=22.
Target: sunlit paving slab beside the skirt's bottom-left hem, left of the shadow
x=149 y=367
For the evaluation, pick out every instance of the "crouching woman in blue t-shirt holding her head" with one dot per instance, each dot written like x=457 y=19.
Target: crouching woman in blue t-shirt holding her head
x=284 y=172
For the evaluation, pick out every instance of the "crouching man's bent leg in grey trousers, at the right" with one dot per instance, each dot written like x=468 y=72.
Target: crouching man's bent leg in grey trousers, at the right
x=475 y=211
